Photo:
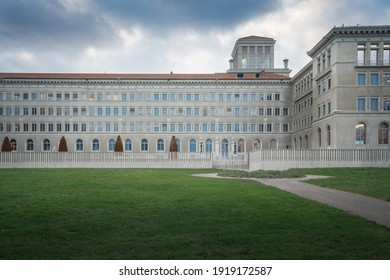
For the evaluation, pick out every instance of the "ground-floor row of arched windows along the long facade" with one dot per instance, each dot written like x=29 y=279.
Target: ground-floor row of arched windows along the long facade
x=194 y=145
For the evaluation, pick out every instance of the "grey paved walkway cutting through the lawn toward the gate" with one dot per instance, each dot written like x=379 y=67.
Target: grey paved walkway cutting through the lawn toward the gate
x=367 y=207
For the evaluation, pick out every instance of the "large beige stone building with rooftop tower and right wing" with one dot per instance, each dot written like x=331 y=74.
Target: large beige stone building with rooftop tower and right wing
x=341 y=99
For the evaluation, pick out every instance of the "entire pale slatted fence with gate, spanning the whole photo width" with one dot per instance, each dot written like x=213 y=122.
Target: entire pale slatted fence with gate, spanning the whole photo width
x=262 y=159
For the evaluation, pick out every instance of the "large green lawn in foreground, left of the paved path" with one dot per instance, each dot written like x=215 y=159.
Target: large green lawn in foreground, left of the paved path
x=169 y=214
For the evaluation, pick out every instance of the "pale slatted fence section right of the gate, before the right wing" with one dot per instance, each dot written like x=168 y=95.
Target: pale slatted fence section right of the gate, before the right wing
x=286 y=159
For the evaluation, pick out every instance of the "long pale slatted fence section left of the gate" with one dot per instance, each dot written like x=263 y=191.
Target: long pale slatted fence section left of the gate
x=104 y=160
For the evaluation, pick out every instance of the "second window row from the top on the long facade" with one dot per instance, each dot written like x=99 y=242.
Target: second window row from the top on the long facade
x=142 y=111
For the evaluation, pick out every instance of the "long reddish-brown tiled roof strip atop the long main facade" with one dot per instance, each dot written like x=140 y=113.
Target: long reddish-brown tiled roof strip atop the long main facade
x=101 y=76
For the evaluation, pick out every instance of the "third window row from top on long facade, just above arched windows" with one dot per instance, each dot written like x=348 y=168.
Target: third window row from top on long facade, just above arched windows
x=144 y=127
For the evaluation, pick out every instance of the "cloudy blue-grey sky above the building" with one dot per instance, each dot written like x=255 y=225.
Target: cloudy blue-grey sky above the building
x=159 y=36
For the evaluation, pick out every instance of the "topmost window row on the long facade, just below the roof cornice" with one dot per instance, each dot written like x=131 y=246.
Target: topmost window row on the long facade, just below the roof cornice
x=59 y=96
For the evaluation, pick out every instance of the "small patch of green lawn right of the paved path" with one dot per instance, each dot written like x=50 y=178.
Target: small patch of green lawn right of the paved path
x=374 y=182
